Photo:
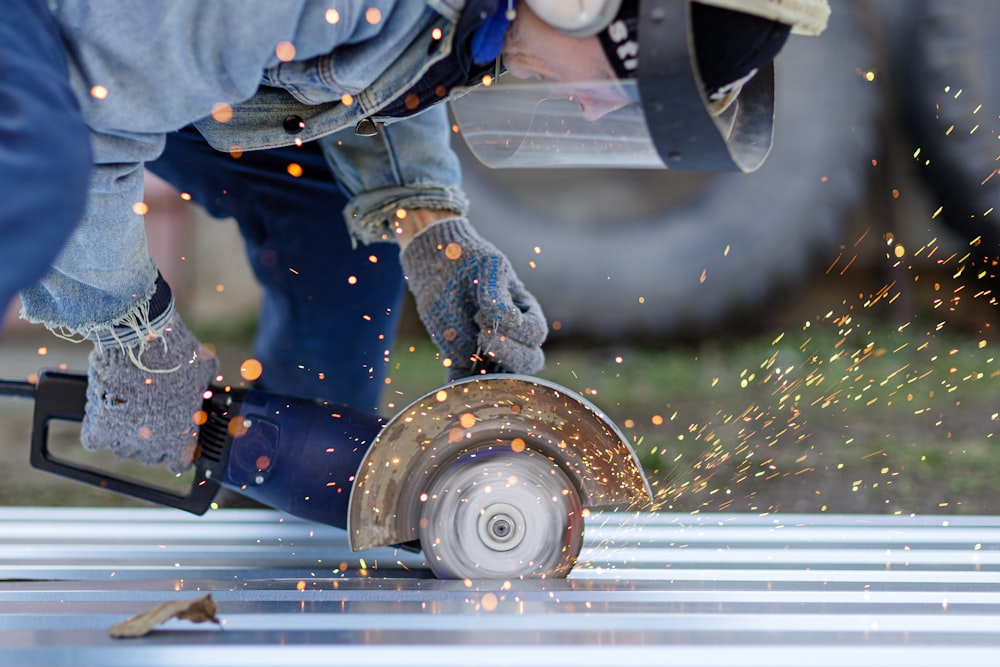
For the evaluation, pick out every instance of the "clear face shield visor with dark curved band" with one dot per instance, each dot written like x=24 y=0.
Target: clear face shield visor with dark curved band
x=660 y=119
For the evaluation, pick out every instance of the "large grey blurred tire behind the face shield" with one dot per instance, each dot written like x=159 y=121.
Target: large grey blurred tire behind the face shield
x=696 y=251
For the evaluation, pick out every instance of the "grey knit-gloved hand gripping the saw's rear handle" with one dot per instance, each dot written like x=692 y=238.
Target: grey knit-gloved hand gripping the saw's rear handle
x=141 y=400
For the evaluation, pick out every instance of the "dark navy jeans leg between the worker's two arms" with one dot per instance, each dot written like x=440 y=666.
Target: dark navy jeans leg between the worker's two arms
x=329 y=312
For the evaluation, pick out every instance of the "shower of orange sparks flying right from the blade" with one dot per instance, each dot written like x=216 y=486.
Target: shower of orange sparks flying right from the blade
x=811 y=400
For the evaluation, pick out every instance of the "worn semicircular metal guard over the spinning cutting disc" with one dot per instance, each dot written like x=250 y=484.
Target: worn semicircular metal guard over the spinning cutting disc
x=503 y=414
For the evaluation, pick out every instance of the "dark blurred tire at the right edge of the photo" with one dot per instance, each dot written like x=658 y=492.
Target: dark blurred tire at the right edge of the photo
x=939 y=49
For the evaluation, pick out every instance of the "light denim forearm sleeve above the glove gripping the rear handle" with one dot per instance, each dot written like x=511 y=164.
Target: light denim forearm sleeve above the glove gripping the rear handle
x=104 y=274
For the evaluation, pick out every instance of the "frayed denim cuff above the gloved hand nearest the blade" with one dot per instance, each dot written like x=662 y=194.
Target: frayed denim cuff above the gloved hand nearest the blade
x=371 y=216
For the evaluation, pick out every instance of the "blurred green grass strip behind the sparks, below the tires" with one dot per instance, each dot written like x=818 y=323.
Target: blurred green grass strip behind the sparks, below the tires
x=840 y=415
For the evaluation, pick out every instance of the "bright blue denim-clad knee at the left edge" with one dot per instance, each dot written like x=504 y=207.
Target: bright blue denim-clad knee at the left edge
x=44 y=146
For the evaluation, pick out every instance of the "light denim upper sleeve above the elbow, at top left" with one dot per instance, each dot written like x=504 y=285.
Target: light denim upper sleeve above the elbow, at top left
x=162 y=64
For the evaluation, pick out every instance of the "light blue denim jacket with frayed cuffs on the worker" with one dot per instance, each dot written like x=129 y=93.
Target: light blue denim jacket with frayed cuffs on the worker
x=247 y=72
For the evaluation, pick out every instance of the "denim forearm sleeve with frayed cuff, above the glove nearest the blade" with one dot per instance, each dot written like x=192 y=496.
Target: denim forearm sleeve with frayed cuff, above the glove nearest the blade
x=409 y=164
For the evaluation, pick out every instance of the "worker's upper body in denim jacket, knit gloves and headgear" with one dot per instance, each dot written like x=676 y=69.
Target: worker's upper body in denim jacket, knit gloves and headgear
x=265 y=75
